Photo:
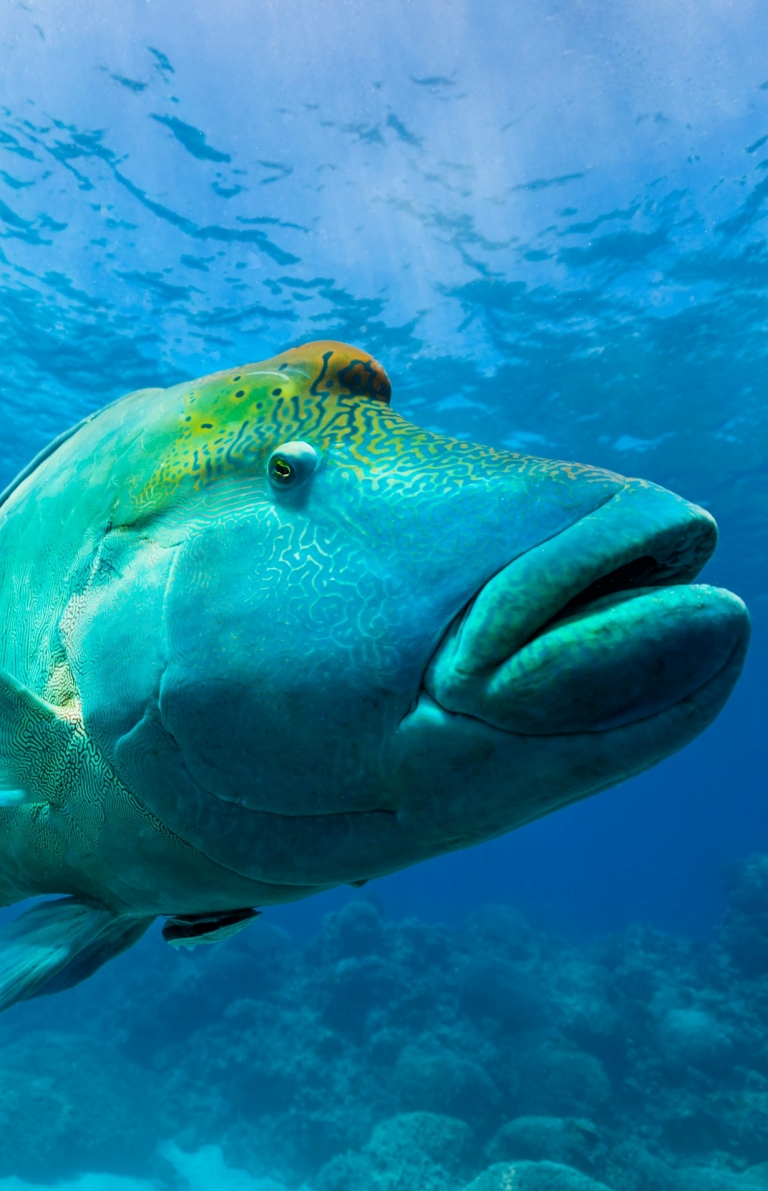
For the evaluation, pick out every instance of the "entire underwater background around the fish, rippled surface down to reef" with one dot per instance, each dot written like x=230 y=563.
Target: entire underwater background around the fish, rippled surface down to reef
x=548 y=222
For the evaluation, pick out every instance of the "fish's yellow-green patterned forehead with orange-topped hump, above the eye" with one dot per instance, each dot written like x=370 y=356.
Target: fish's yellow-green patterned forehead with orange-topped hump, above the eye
x=332 y=395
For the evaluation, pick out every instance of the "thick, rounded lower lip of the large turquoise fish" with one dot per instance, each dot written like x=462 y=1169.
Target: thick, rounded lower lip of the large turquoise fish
x=621 y=660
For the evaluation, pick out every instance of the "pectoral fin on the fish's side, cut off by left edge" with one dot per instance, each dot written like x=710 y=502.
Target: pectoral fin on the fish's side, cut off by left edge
x=32 y=731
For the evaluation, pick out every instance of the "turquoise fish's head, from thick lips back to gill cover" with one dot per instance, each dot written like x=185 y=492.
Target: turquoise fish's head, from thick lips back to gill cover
x=371 y=644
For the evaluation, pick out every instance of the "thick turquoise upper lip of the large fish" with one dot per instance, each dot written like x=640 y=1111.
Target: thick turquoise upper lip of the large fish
x=642 y=538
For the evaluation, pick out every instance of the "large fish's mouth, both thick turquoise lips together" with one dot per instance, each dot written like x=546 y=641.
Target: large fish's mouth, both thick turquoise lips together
x=598 y=627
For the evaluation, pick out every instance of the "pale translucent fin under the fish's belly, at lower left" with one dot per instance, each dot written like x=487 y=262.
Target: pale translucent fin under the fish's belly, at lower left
x=59 y=944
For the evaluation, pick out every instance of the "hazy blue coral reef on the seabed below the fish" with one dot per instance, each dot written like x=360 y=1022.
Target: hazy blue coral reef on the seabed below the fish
x=397 y=1056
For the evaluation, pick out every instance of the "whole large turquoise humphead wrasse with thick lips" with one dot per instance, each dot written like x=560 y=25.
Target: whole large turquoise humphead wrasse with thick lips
x=261 y=637
